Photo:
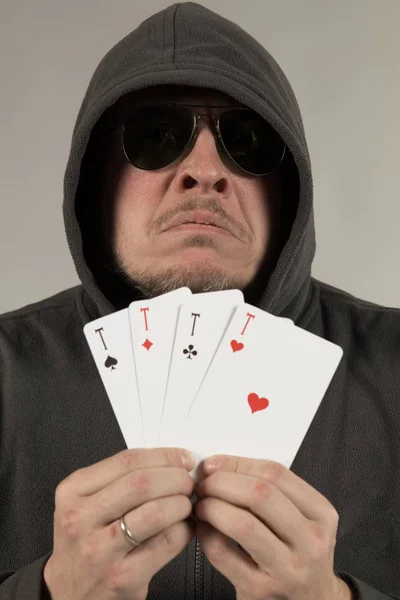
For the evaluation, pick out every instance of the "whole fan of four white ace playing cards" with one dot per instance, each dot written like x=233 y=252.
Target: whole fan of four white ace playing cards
x=211 y=373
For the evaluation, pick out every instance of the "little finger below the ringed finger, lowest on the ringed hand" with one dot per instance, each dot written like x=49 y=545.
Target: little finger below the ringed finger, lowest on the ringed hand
x=151 y=556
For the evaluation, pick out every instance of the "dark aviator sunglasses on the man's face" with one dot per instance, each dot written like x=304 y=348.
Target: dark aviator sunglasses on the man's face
x=154 y=136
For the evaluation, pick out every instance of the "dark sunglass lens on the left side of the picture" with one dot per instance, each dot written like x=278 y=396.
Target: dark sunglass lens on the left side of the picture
x=155 y=137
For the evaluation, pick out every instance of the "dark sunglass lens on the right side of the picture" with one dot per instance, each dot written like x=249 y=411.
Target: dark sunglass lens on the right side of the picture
x=252 y=142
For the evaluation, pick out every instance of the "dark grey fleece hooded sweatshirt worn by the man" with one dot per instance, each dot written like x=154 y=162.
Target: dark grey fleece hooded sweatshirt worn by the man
x=55 y=416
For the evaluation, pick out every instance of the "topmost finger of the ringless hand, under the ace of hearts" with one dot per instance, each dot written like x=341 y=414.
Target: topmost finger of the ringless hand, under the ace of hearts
x=308 y=500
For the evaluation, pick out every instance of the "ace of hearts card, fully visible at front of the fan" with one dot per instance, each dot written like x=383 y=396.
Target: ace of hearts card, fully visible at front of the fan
x=262 y=390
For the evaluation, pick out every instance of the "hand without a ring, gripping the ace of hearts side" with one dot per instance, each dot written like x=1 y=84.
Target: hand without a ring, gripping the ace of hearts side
x=286 y=527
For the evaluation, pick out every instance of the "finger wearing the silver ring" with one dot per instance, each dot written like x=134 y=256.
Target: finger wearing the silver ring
x=148 y=520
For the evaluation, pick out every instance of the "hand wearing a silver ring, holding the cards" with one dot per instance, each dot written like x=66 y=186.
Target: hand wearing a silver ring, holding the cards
x=92 y=558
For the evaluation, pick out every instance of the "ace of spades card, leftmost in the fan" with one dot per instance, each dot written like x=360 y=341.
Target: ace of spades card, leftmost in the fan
x=109 y=340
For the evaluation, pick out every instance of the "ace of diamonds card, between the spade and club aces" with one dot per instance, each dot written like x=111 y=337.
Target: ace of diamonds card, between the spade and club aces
x=153 y=324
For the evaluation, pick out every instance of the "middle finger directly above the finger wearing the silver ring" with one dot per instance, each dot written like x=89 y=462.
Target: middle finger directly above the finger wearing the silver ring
x=136 y=488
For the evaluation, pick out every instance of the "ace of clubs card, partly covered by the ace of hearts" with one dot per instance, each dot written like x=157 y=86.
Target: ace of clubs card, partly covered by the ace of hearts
x=202 y=321
